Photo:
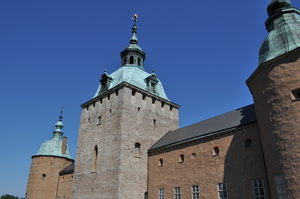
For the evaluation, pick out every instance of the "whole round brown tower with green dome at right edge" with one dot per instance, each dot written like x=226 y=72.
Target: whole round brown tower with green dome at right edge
x=275 y=86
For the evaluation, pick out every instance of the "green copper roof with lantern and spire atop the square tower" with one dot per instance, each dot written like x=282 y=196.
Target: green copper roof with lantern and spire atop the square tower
x=132 y=73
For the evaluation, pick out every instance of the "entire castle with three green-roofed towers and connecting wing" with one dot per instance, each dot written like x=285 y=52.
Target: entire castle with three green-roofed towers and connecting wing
x=130 y=146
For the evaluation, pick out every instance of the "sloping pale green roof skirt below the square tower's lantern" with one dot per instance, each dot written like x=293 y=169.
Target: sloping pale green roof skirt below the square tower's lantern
x=135 y=75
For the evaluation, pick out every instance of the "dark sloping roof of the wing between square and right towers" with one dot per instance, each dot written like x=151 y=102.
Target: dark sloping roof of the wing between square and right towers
x=232 y=119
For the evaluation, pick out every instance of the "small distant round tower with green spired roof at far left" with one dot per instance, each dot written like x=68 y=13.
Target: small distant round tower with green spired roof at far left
x=52 y=157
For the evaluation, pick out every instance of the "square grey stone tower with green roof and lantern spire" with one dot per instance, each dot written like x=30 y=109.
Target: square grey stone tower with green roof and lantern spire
x=129 y=112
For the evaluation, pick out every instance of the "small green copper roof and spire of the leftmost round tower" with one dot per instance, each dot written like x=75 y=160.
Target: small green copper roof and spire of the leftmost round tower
x=54 y=146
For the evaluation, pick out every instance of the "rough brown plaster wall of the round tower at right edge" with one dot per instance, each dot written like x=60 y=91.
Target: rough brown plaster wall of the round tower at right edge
x=275 y=87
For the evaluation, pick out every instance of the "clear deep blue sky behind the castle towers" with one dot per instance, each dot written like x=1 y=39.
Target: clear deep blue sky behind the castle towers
x=53 y=52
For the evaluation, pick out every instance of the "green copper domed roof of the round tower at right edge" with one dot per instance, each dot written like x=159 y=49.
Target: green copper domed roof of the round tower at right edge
x=283 y=25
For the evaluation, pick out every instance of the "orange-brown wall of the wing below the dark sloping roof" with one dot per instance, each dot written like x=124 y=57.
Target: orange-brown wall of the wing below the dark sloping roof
x=235 y=165
